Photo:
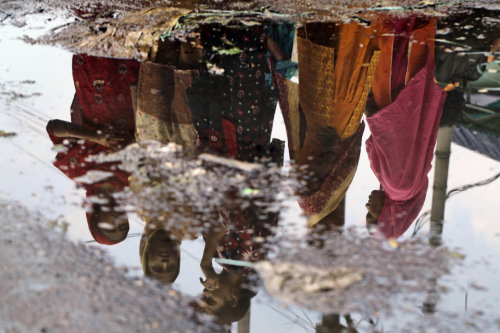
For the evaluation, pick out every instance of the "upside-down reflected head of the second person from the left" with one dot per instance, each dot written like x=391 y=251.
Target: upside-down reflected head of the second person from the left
x=163 y=258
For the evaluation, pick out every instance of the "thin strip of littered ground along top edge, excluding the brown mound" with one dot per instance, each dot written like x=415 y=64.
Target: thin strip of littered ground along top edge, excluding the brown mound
x=322 y=9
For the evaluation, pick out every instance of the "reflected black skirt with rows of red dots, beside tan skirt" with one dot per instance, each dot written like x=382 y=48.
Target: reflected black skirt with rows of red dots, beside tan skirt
x=233 y=102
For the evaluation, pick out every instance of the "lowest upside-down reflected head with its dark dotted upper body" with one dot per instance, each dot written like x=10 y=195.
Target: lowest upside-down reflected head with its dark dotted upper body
x=242 y=235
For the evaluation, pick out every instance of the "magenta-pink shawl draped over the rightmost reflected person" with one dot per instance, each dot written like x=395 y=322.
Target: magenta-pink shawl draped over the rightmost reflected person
x=400 y=148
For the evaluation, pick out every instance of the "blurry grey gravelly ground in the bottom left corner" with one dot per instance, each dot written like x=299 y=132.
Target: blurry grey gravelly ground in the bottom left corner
x=49 y=284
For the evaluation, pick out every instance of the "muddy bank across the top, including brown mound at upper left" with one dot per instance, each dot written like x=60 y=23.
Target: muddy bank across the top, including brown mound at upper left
x=127 y=29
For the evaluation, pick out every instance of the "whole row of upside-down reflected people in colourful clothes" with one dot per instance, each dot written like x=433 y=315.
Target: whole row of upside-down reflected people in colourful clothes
x=215 y=91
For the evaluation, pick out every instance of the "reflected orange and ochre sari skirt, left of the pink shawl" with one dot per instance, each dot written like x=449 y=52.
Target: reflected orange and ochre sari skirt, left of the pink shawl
x=336 y=74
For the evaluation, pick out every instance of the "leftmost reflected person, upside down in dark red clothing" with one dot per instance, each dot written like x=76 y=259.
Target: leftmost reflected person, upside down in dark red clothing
x=102 y=120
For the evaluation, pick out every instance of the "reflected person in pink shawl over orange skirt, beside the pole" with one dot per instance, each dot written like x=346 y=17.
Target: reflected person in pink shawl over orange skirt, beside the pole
x=404 y=120
